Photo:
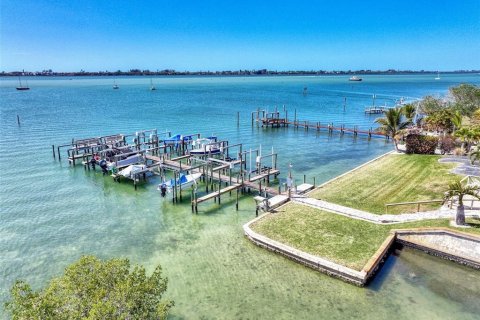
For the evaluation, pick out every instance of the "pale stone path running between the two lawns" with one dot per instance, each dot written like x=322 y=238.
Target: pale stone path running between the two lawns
x=442 y=213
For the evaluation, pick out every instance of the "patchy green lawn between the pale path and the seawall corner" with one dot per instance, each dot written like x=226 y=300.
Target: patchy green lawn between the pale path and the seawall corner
x=346 y=241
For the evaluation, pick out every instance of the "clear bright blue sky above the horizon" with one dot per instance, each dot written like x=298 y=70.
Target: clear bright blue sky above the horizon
x=230 y=35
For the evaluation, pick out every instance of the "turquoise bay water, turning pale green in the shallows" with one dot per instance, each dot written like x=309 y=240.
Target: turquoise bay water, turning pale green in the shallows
x=52 y=213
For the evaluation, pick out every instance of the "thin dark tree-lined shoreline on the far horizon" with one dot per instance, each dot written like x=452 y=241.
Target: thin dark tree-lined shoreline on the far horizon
x=263 y=72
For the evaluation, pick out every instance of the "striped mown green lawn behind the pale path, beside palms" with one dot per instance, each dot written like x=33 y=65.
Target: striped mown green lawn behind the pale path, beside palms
x=391 y=179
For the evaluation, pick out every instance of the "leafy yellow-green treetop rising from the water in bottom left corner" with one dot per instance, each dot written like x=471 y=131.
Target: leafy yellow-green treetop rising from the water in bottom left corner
x=94 y=289
